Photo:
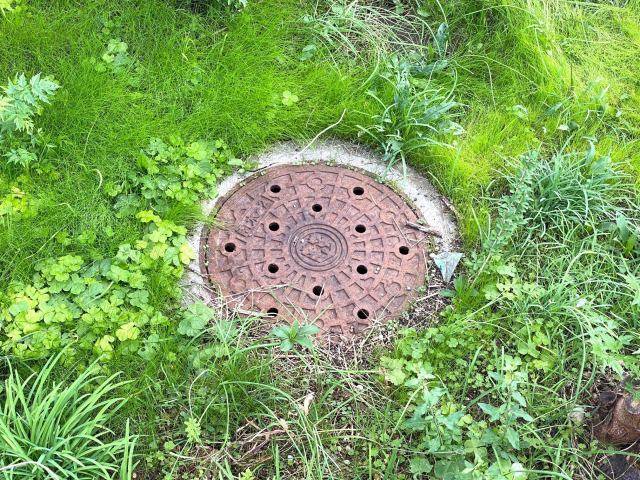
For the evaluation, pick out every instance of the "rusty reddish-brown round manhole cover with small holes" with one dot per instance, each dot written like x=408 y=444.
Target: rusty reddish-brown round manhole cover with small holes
x=316 y=243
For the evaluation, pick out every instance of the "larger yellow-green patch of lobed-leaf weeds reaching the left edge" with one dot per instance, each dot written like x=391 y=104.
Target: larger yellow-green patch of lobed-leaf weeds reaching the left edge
x=72 y=299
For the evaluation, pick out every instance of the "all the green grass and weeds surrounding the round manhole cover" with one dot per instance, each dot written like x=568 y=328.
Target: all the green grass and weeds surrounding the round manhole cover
x=117 y=118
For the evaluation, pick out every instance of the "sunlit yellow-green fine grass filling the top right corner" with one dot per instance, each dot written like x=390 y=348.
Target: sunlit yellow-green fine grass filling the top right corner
x=537 y=54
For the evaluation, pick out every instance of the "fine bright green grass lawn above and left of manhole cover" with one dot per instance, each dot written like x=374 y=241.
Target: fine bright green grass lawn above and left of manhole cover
x=196 y=80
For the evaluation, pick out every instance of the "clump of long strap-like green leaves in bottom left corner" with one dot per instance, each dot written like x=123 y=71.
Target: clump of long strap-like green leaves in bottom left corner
x=58 y=430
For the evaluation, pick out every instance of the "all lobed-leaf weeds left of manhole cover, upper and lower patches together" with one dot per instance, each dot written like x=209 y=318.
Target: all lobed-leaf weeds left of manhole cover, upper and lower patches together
x=109 y=299
